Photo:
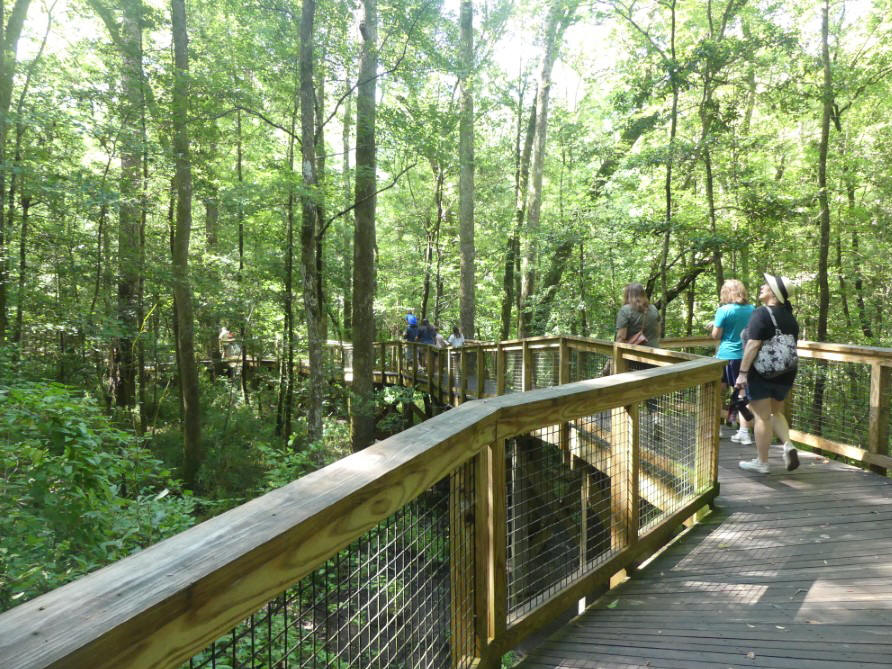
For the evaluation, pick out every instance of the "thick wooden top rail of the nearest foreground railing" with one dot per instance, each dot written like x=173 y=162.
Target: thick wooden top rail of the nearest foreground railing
x=161 y=605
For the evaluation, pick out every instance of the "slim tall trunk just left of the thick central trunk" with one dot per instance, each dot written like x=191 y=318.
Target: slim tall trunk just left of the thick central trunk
x=309 y=218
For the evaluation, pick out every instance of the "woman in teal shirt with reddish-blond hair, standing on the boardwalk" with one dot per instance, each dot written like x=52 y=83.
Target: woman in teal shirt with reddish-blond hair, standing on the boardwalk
x=730 y=320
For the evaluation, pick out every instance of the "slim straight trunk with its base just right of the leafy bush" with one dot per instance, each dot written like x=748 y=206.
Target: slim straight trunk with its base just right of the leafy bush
x=182 y=290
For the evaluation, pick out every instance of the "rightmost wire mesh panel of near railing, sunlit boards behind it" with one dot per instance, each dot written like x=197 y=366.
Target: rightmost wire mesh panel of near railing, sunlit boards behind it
x=675 y=446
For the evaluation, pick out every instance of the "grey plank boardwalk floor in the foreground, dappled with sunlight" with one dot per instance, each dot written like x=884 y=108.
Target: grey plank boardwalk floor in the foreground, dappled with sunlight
x=793 y=570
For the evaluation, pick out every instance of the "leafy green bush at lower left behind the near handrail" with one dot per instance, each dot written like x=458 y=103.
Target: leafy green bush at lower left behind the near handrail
x=75 y=492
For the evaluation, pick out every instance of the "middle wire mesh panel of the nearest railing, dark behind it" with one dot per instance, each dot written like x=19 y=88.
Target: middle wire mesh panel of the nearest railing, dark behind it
x=560 y=517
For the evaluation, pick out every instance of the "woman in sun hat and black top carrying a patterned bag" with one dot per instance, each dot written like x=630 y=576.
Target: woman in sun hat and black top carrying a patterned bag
x=774 y=328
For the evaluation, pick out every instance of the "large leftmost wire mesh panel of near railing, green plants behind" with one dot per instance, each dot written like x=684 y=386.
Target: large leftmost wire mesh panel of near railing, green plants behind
x=384 y=601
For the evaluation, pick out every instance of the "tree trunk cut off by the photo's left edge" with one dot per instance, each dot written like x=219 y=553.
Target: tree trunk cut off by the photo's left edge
x=9 y=38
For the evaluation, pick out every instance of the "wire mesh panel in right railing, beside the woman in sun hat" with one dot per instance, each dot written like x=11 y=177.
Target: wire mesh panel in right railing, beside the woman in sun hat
x=831 y=399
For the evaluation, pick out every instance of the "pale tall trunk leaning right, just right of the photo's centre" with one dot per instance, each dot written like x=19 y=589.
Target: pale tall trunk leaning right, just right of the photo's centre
x=558 y=19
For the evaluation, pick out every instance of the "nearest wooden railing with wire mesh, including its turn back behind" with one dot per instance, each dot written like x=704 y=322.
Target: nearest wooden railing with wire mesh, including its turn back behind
x=442 y=546
